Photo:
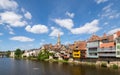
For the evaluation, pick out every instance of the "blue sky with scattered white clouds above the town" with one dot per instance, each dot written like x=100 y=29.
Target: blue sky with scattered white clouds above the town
x=28 y=24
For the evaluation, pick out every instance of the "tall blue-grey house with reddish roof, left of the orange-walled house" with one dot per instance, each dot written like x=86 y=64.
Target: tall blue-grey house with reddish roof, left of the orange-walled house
x=93 y=46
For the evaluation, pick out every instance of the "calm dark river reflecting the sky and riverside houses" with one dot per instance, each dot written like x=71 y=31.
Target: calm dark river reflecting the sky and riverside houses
x=9 y=66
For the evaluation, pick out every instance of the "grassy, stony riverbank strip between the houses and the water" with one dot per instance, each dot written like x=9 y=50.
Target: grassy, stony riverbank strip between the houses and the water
x=105 y=64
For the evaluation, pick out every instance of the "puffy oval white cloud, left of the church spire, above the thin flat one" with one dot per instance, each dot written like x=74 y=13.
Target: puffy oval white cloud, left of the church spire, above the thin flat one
x=37 y=29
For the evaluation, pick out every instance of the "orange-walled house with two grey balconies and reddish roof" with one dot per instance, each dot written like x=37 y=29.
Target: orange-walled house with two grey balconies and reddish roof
x=107 y=47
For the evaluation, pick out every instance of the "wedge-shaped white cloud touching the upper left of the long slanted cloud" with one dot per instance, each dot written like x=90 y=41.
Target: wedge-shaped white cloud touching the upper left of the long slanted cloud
x=67 y=23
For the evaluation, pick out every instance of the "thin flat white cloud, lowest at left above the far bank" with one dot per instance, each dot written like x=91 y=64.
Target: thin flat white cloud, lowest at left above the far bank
x=22 y=39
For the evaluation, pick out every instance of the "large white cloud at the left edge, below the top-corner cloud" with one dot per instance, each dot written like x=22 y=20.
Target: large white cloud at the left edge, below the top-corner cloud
x=13 y=19
